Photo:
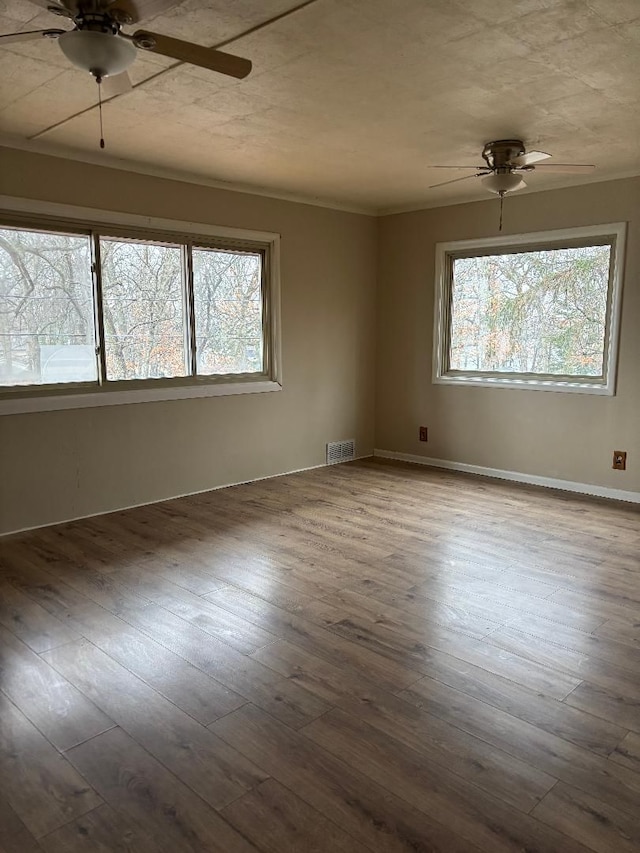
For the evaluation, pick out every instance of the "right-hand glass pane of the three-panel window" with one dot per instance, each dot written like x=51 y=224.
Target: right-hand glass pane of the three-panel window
x=228 y=311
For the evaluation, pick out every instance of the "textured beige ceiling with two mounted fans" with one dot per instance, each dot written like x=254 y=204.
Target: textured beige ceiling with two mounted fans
x=351 y=100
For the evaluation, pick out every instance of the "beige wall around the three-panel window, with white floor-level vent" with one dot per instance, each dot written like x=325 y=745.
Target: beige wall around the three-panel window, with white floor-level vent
x=60 y=465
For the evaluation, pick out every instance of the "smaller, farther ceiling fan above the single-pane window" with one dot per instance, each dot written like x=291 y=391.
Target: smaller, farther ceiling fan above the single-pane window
x=505 y=162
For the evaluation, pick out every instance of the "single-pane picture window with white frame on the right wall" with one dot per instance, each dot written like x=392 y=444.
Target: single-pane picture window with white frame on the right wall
x=537 y=311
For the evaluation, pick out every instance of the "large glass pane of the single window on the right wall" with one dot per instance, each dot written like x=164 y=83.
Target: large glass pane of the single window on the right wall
x=531 y=312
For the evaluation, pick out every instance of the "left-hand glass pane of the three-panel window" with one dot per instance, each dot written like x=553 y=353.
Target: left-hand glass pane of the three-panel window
x=46 y=309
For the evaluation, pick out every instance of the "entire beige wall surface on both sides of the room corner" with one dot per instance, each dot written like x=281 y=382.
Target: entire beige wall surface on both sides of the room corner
x=60 y=465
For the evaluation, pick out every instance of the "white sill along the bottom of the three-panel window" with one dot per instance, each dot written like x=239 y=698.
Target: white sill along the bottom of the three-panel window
x=81 y=400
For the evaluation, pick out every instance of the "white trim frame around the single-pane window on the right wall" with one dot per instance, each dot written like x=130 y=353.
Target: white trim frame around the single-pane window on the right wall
x=541 y=238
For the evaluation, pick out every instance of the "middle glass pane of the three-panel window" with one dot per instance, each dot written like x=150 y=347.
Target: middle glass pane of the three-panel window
x=143 y=310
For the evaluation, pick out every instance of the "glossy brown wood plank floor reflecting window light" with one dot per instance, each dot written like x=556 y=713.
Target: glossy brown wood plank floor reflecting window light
x=367 y=657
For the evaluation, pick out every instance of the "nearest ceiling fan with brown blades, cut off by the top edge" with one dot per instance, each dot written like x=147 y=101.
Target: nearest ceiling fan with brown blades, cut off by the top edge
x=98 y=45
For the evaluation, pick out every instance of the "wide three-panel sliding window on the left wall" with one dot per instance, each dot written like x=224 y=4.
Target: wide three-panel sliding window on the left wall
x=95 y=310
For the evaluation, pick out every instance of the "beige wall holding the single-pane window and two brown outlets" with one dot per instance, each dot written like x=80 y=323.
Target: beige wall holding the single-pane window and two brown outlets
x=550 y=434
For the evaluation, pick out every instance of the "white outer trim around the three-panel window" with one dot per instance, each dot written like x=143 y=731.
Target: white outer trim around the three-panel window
x=43 y=400
